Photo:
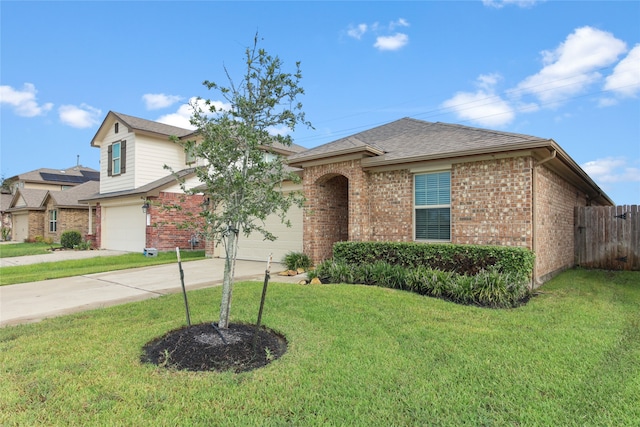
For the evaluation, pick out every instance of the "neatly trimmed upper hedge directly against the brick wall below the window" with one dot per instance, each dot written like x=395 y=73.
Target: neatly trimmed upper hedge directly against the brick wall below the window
x=462 y=259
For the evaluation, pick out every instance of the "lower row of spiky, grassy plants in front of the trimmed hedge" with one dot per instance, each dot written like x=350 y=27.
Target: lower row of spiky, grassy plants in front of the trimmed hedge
x=487 y=288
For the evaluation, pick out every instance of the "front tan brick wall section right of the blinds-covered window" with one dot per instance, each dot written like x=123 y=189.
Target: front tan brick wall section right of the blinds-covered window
x=491 y=202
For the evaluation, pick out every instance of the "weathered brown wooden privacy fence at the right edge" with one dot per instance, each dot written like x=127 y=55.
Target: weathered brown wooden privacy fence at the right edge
x=607 y=237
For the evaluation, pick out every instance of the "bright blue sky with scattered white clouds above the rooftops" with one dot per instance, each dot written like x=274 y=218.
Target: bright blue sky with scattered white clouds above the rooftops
x=568 y=70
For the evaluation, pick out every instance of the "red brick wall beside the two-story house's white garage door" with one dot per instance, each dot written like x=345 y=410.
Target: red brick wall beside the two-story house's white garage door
x=166 y=232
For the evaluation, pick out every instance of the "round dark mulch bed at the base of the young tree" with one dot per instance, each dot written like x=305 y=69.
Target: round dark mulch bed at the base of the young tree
x=202 y=348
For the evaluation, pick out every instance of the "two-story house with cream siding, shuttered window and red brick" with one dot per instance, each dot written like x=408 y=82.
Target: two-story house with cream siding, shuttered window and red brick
x=133 y=155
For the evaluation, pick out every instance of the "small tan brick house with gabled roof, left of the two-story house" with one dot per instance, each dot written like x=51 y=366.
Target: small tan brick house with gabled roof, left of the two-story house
x=47 y=214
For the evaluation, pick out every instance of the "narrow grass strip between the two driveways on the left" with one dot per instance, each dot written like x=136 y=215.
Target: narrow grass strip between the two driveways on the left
x=54 y=270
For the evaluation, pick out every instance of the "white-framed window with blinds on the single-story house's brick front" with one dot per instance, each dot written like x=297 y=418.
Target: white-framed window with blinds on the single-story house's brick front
x=432 y=202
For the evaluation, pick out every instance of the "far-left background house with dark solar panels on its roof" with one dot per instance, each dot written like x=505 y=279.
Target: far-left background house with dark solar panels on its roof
x=44 y=179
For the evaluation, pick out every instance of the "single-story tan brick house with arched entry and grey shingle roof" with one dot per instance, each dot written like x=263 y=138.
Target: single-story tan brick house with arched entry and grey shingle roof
x=412 y=180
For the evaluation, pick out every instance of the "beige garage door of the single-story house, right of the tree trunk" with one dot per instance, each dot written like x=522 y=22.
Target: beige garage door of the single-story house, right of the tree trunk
x=289 y=239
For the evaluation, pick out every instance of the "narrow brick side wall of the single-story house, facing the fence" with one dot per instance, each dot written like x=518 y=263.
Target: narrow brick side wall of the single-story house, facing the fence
x=554 y=202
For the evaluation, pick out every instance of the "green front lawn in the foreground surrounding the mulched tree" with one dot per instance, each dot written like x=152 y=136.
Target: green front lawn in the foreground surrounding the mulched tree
x=357 y=355
